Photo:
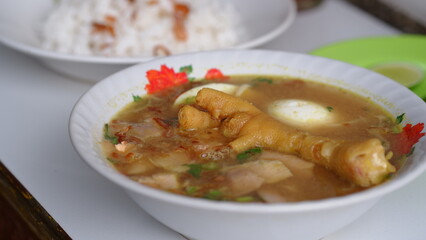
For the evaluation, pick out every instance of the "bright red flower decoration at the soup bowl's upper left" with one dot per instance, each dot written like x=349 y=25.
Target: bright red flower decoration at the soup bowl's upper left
x=165 y=78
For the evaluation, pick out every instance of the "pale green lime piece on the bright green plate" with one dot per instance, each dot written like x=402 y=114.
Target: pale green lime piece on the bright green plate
x=404 y=73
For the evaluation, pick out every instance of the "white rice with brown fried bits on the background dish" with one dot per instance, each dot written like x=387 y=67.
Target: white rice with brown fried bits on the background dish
x=139 y=26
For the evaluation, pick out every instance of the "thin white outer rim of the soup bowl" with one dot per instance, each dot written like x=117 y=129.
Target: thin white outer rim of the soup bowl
x=371 y=194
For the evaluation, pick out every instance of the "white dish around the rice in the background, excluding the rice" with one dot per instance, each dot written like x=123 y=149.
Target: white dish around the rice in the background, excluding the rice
x=21 y=21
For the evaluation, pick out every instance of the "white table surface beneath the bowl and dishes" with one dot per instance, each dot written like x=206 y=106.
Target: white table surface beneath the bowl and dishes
x=35 y=105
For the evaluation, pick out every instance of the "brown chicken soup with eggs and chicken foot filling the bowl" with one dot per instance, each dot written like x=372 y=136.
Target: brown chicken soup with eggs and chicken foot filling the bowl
x=255 y=138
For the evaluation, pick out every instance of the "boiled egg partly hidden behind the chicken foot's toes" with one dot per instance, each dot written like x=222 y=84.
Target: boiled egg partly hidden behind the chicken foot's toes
x=189 y=96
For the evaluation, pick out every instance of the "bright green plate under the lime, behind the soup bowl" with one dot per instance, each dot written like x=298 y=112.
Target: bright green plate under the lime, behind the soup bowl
x=368 y=52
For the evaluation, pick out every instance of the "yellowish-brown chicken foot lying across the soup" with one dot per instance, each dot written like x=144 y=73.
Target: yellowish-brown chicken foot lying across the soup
x=361 y=162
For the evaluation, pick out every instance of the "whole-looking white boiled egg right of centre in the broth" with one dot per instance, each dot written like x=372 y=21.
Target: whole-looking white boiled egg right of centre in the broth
x=300 y=113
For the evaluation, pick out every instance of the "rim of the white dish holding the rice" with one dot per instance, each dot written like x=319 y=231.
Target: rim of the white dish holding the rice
x=40 y=52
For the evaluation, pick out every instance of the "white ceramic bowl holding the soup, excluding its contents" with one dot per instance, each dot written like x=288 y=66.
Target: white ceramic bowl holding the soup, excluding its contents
x=203 y=219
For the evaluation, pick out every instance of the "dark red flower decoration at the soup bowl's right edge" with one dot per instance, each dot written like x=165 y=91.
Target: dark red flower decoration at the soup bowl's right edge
x=406 y=139
